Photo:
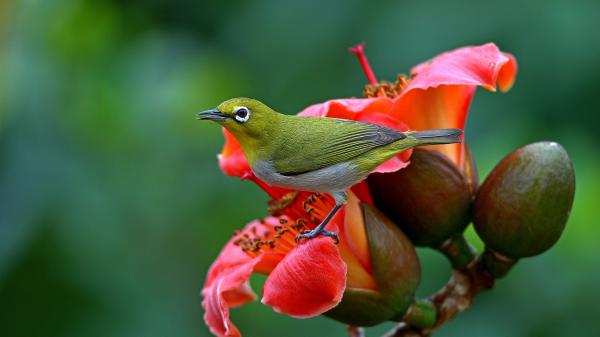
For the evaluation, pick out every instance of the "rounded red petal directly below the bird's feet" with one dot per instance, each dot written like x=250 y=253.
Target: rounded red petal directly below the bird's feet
x=308 y=281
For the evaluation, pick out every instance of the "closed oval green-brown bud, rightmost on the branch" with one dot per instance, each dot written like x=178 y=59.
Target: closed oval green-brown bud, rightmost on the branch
x=523 y=205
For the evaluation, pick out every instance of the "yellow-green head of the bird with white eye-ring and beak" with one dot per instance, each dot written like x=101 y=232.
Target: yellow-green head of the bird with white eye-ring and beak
x=245 y=118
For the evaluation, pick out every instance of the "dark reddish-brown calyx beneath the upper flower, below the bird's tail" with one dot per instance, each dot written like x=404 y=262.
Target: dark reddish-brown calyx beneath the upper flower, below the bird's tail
x=430 y=199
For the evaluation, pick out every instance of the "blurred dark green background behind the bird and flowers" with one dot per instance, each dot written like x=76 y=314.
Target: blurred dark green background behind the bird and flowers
x=112 y=206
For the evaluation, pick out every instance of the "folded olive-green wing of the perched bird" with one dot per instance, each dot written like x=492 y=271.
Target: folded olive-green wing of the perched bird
x=329 y=141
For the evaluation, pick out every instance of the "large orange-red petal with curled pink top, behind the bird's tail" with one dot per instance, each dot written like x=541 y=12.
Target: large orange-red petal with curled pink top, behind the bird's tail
x=440 y=93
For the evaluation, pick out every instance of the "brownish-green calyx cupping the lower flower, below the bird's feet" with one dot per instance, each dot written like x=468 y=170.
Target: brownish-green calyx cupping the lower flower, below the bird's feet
x=396 y=270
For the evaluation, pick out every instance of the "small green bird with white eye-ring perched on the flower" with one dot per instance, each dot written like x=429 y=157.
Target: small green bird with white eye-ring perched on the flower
x=315 y=154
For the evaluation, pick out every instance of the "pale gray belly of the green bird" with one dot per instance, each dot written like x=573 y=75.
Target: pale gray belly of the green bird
x=331 y=179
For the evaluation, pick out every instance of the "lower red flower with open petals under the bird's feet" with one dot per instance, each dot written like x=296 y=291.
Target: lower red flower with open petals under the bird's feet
x=306 y=279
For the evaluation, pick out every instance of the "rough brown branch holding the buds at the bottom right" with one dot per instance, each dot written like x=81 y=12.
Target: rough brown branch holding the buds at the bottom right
x=456 y=296
